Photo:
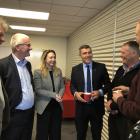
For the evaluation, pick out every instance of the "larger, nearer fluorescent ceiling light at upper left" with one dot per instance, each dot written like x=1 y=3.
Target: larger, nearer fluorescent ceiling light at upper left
x=24 y=14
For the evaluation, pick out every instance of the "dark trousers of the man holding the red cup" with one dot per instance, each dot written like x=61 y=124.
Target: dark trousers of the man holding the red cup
x=86 y=113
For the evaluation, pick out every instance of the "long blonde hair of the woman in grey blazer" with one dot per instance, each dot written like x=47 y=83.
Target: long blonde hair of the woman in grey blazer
x=44 y=69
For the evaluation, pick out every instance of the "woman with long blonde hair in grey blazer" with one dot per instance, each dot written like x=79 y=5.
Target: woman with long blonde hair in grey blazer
x=49 y=88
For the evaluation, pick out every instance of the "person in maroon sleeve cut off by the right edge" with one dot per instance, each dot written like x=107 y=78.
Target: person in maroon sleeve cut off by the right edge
x=130 y=107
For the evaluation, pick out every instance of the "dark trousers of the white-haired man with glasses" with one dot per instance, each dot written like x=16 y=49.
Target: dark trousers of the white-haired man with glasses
x=20 y=126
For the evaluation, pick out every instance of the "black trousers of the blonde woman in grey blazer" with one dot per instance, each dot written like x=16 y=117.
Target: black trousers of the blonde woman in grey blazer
x=49 y=123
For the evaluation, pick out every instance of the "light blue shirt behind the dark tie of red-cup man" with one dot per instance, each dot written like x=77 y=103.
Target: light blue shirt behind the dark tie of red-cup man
x=85 y=75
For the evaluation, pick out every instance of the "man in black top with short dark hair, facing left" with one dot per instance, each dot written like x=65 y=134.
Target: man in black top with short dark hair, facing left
x=117 y=122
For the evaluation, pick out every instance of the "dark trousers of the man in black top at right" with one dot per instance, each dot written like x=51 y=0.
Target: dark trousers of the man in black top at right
x=118 y=127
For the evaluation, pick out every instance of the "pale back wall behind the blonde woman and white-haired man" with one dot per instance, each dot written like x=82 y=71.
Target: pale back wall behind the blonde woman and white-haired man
x=40 y=43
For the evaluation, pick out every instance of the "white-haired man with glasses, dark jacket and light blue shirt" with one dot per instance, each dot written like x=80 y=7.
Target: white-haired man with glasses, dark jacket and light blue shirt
x=17 y=78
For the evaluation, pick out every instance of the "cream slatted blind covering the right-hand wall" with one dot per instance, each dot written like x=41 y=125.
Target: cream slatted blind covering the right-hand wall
x=105 y=33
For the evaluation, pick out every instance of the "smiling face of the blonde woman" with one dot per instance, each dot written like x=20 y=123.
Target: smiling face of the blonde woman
x=50 y=60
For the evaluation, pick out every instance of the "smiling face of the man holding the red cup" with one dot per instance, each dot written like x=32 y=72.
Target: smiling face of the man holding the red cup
x=86 y=55
